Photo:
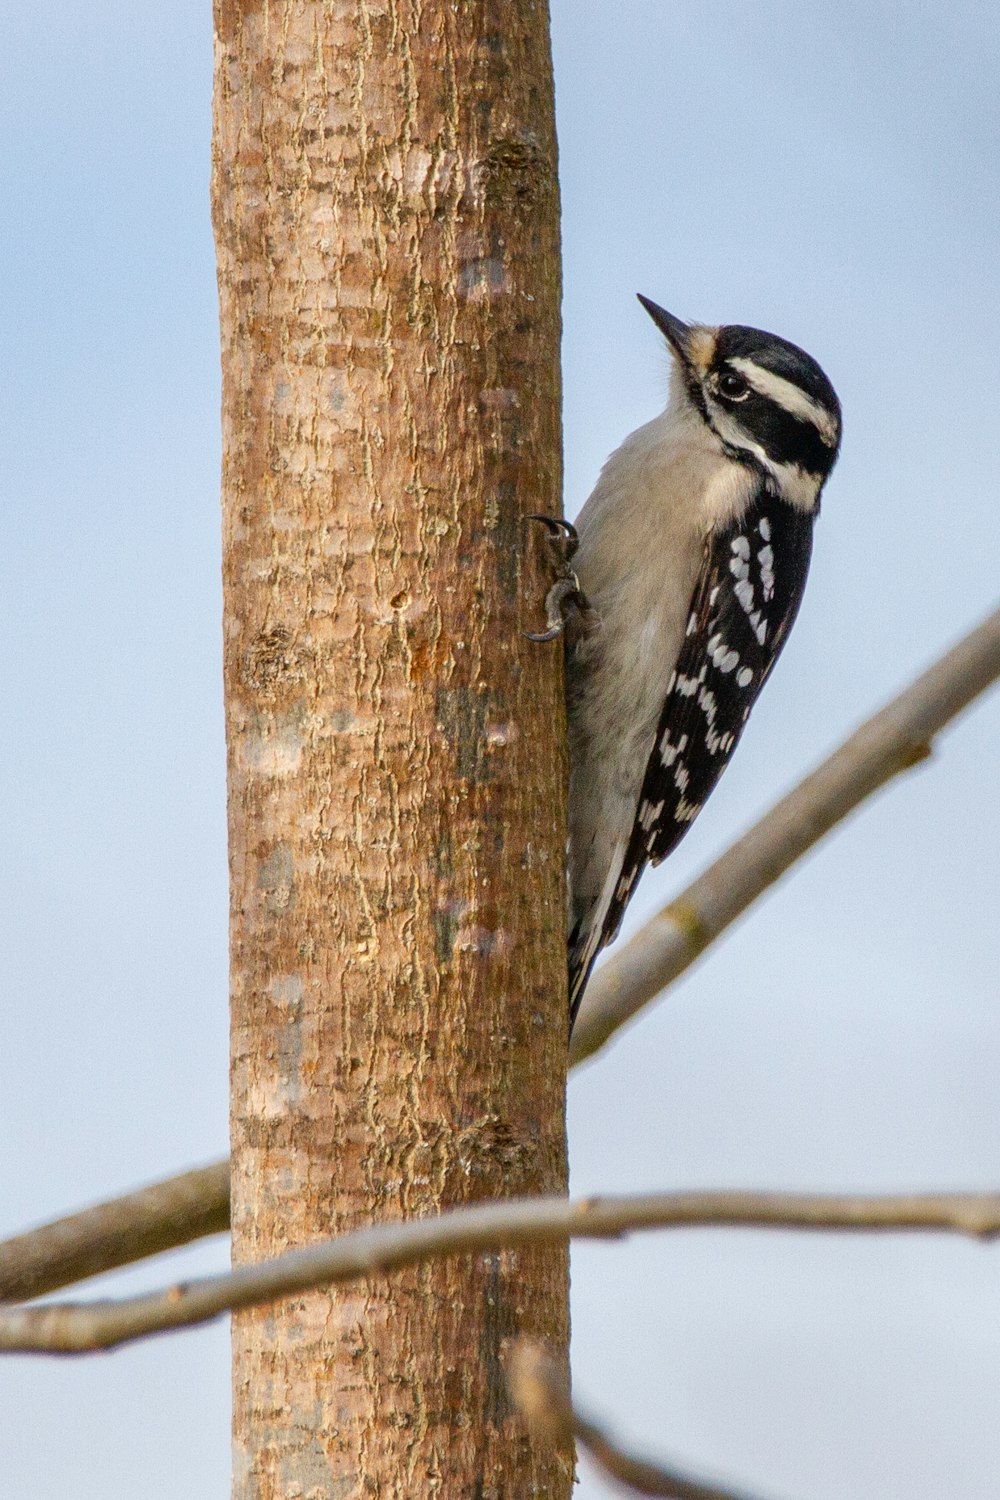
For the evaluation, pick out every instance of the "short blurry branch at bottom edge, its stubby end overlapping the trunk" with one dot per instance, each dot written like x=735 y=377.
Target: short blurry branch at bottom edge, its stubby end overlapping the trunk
x=543 y=1400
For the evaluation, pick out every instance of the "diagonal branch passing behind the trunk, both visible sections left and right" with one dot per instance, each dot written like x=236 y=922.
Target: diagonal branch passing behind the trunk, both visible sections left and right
x=891 y=742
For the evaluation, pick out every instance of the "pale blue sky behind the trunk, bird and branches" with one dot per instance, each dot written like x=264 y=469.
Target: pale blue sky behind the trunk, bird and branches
x=827 y=173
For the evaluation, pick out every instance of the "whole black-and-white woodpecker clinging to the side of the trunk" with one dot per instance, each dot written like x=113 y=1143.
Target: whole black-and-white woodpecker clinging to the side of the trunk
x=692 y=560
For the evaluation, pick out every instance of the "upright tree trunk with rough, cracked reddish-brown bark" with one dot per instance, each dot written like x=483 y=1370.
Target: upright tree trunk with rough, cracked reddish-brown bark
x=386 y=214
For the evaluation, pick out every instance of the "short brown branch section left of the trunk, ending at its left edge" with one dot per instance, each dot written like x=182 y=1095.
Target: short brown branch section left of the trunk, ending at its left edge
x=116 y=1234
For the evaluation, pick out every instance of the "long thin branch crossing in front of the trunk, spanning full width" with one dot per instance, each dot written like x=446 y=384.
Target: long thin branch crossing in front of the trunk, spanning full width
x=77 y=1328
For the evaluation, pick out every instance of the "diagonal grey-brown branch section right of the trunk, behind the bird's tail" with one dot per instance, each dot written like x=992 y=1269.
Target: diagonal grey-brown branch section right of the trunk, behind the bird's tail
x=894 y=740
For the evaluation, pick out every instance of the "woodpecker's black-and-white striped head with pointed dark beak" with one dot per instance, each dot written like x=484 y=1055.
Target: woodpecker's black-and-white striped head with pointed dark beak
x=767 y=401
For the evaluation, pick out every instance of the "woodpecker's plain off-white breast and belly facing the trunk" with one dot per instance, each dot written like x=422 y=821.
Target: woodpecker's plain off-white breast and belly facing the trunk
x=642 y=536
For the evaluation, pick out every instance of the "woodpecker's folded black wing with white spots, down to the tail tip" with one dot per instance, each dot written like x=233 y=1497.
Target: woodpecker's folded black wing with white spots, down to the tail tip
x=744 y=605
